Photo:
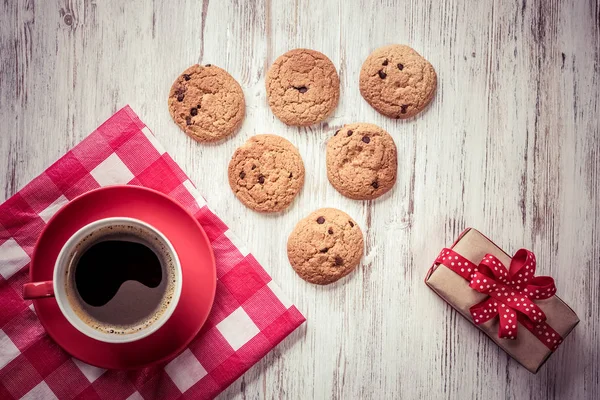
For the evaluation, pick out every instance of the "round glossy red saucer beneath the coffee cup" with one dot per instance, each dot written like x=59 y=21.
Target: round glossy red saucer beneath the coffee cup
x=190 y=243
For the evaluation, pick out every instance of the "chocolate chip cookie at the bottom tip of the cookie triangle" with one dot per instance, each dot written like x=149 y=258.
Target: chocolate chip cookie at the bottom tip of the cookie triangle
x=325 y=246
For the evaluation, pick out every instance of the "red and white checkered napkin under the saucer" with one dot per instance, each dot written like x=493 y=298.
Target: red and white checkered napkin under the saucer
x=249 y=317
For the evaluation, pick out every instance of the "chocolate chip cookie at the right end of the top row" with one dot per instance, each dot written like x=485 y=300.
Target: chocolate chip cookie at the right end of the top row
x=397 y=82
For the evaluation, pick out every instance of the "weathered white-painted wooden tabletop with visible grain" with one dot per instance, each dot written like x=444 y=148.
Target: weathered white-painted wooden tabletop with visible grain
x=510 y=145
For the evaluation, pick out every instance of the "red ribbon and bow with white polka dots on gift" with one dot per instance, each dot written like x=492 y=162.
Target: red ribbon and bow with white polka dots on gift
x=511 y=293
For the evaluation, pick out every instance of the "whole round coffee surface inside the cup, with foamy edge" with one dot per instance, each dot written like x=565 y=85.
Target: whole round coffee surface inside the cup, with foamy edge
x=120 y=279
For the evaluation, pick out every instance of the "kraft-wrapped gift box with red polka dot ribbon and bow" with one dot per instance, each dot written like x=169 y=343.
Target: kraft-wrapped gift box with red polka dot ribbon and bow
x=503 y=297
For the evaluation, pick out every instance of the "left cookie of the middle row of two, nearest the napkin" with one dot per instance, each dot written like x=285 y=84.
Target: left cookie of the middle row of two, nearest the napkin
x=266 y=173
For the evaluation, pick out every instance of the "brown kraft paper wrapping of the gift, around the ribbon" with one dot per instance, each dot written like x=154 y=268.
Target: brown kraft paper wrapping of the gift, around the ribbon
x=454 y=289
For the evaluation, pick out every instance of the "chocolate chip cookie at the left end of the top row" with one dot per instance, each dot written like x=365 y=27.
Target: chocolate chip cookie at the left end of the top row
x=207 y=103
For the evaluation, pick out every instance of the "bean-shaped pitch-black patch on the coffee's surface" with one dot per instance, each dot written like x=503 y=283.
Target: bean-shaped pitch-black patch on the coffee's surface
x=105 y=266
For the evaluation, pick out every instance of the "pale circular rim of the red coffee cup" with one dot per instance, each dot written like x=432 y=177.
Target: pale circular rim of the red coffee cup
x=67 y=310
